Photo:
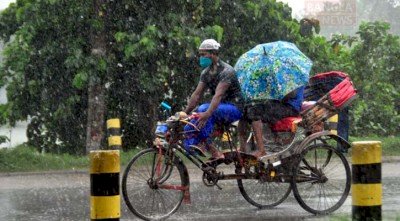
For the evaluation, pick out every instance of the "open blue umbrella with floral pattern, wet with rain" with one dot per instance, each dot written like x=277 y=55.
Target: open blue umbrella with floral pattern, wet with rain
x=272 y=70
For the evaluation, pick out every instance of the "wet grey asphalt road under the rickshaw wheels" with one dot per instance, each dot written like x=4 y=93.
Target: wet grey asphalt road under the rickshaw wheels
x=65 y=196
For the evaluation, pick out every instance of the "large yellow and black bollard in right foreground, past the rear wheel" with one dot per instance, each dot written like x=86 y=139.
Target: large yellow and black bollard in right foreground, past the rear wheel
x=367 y=180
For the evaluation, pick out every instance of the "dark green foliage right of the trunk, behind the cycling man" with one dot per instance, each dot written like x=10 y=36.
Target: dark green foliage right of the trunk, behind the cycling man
x=163 y=57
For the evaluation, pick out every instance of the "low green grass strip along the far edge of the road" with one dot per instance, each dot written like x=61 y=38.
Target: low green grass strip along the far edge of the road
x=27 y=159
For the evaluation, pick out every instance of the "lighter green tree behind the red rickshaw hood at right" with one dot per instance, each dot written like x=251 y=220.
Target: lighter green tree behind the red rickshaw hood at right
x=371 y=60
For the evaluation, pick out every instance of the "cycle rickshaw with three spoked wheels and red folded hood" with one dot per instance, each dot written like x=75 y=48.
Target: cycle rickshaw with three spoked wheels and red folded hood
x=304 y=159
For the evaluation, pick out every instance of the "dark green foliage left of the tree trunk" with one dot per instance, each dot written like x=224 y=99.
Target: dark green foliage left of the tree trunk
x=39 y=65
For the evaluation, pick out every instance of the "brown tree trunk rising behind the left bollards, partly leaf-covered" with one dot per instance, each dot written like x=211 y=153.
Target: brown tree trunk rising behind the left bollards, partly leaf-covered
x=96 y=90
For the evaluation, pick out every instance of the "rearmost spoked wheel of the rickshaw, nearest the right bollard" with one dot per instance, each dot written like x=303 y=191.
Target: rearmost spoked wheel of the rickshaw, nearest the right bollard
x=321 y=179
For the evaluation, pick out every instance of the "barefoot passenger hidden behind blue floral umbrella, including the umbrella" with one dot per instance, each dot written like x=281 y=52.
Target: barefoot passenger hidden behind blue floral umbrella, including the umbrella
x=272 y=77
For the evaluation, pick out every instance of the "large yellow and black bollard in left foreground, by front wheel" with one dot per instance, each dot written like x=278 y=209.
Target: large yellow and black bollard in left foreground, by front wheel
x=104 y=185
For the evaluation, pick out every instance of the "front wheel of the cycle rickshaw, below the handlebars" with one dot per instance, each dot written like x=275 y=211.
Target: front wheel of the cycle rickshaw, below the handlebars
x=151 y=190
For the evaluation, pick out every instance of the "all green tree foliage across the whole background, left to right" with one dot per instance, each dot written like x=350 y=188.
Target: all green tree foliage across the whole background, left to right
x=152 y=56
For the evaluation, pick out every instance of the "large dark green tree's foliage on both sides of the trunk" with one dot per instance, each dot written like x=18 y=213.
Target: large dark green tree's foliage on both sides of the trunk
x=151 y=57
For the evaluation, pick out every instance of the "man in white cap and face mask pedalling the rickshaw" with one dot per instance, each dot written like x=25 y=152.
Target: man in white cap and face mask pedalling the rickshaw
x=225 y=106
